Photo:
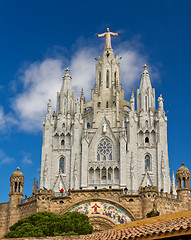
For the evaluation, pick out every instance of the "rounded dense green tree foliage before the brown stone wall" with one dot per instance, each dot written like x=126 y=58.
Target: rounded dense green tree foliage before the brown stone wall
x=44 y=224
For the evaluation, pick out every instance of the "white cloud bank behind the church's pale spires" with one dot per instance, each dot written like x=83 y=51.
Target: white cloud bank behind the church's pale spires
x=42 y=79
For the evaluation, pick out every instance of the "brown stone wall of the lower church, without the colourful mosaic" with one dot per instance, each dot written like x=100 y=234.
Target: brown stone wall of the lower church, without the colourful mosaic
x=136 y=206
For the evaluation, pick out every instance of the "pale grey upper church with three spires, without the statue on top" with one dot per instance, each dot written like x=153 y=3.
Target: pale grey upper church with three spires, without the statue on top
x=105 y=142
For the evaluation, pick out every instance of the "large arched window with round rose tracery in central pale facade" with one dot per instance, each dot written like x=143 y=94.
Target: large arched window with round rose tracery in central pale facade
x=104 y=150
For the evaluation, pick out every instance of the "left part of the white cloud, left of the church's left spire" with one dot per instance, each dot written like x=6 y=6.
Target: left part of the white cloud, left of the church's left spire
x=41 y=80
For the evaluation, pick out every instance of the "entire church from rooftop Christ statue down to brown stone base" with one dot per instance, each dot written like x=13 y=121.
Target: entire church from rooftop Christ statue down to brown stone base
x=106 y=158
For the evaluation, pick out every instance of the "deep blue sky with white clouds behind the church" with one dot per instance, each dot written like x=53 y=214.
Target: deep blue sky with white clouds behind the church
x=39 y=39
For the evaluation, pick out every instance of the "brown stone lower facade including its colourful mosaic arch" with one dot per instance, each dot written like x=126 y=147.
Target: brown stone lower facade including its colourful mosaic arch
x=130 y=207
